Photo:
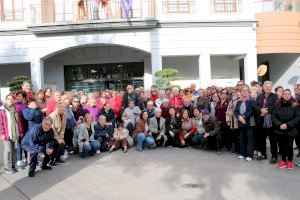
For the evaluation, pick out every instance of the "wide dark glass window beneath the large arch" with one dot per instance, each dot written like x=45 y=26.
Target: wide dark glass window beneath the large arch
x=96 y=77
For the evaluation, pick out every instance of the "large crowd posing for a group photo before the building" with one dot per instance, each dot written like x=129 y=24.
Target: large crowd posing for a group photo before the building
x=45 y=128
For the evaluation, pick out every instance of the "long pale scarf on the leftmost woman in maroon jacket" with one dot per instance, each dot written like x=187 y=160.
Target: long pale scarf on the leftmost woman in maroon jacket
x=13 y=133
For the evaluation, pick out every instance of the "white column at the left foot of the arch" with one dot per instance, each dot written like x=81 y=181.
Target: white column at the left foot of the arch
x=37 y=74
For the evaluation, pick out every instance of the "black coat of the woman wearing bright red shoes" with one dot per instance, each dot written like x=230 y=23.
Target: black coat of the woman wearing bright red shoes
x=286 y=113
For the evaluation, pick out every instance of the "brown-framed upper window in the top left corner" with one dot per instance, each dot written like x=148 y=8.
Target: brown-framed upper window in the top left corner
x=11 y=10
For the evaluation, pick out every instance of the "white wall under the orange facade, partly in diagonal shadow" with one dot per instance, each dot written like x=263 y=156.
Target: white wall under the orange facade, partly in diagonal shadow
x=284 y=68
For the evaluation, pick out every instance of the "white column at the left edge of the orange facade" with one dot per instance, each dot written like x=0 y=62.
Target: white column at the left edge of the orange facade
x=250 y=66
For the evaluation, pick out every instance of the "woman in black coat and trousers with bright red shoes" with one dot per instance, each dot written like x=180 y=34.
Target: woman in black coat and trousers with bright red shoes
x=286 y=117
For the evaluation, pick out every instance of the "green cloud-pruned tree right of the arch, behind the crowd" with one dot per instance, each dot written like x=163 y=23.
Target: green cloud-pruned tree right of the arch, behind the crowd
x=166 y=76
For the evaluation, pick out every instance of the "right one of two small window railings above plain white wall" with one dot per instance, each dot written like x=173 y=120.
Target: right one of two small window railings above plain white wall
x=226 y=6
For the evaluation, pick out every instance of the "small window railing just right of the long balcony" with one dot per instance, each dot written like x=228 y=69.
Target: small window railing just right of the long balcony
x=178 y=6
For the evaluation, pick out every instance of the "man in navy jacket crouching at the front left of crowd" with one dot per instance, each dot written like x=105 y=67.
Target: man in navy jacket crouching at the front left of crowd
x=39 y=143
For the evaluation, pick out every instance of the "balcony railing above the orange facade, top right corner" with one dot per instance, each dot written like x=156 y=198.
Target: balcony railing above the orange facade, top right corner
x=278 y=5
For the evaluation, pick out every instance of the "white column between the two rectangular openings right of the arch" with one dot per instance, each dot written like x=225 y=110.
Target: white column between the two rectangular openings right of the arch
x=204 y=70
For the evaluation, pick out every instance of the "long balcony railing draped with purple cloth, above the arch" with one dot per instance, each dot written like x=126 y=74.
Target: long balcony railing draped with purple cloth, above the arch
x=87 y=11
